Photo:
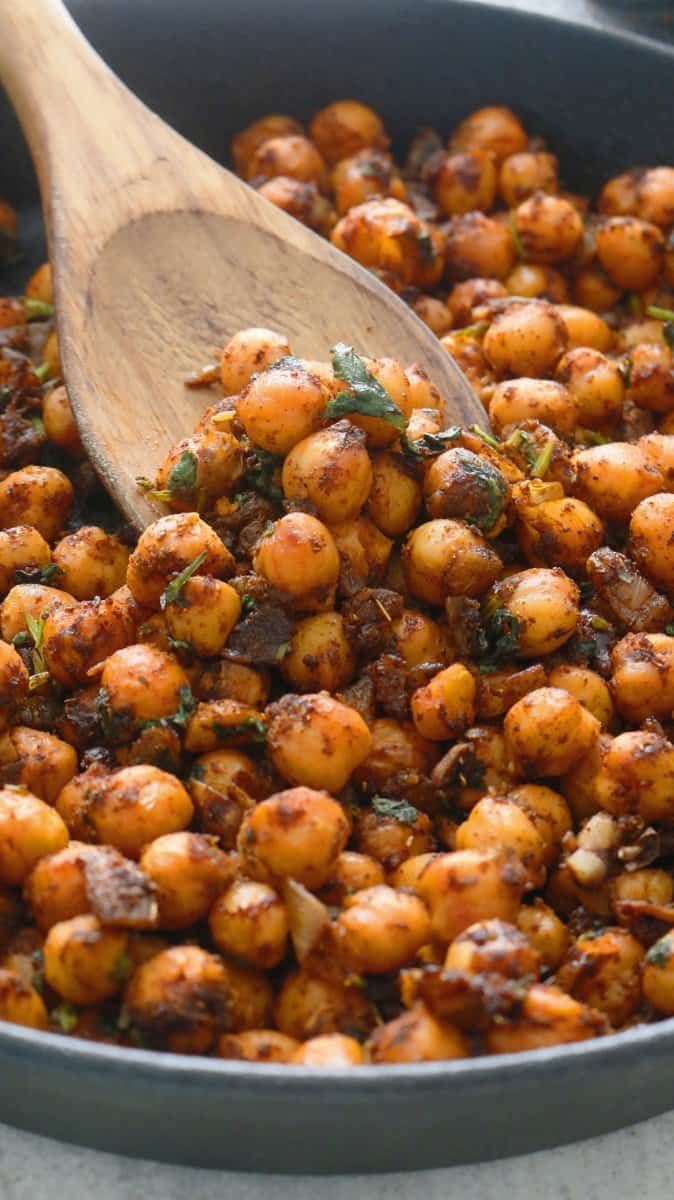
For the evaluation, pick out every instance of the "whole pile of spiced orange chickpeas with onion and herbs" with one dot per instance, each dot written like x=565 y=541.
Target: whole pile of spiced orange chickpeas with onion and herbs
x=363 y=752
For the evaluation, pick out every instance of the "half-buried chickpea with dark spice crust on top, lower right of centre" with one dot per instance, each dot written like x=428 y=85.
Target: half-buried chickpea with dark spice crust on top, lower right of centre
x=495 y=947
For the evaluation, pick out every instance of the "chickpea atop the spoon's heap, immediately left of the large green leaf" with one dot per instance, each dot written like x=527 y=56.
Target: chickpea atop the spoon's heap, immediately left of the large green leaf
x=281 y=407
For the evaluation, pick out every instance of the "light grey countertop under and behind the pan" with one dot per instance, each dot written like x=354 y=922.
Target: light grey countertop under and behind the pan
x=639 y=1162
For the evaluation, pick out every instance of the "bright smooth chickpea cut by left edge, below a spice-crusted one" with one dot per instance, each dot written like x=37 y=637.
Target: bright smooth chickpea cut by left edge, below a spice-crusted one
x=29 y=830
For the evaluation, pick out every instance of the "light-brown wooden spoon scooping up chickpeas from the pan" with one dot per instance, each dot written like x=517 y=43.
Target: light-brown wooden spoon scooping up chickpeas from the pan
x=160 y=255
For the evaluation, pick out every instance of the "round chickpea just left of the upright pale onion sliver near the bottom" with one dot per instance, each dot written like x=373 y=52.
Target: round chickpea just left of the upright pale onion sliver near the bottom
x=250 y=922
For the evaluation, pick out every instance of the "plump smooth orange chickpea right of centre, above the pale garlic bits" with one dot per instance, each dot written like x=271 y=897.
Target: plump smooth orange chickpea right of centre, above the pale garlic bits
x=549 y=731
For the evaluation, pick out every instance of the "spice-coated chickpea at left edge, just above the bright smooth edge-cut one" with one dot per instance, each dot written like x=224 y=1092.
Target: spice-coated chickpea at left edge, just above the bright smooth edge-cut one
x=40 y=763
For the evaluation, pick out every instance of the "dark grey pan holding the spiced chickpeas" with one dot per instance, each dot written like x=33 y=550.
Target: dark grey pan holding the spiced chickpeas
x=209 y=68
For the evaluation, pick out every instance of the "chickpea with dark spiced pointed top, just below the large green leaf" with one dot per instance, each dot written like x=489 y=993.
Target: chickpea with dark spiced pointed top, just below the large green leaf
x=332 y=470
